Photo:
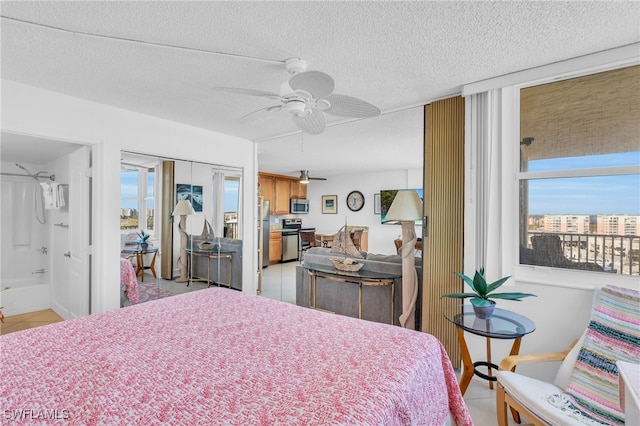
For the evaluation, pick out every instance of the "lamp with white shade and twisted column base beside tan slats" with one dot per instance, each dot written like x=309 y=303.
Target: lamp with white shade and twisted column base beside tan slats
x=407 y=208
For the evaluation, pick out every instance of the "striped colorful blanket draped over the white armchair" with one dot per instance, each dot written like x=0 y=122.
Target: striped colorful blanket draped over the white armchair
x=613 y=334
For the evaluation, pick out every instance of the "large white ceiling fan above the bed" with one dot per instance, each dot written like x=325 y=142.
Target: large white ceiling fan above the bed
x=307 y=96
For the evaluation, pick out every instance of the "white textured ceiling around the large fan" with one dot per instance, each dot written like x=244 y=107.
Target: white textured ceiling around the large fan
x=394 y=55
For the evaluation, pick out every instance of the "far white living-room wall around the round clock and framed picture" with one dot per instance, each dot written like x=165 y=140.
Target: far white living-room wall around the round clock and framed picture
x=380 y=236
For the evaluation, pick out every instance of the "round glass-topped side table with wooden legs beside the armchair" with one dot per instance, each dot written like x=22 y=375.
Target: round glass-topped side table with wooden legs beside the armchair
x=503 y=324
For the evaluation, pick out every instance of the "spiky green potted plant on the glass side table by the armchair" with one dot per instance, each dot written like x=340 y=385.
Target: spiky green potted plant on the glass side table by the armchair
x=483 y=293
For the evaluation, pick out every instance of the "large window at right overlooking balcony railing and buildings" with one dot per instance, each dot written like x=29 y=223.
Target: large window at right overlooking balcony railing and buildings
x=579 y=179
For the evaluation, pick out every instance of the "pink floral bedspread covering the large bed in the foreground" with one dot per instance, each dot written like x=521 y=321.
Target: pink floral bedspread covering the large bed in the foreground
x=218 y=356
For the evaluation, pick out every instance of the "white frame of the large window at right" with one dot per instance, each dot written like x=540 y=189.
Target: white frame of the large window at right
x=509 y=123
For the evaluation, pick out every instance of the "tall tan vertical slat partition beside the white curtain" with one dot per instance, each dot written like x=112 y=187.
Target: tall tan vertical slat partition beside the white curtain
x=444 y=208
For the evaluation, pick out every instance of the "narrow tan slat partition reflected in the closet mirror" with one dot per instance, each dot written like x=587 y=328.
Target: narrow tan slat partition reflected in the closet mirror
x=166 y=228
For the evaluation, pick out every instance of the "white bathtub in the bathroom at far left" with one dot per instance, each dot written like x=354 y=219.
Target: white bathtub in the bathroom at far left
x=25 y=295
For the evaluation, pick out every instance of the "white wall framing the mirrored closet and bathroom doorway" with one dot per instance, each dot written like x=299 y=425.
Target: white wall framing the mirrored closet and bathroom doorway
x=32 y=111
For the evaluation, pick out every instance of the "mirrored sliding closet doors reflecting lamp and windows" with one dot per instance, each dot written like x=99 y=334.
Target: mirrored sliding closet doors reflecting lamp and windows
x=179 y=227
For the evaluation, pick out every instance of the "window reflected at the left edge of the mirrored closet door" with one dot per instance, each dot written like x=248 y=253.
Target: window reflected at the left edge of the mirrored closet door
x=137 y=199
